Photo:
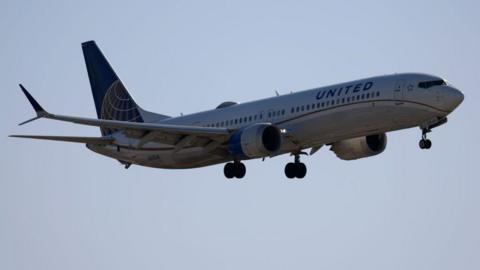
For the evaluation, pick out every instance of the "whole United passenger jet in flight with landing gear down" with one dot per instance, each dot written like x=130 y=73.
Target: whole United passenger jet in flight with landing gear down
x=352 y=118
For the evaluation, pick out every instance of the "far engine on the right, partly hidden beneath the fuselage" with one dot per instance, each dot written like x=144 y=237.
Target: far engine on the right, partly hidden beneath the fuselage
x=360 y=147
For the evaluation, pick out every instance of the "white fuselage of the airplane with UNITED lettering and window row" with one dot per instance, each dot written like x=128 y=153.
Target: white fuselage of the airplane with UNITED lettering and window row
x=308 y=118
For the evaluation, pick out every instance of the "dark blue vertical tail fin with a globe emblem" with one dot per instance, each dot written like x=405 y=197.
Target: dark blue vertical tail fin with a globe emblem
x=112 y=100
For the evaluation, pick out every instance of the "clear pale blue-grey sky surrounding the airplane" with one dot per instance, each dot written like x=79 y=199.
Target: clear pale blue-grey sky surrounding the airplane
x=64 y=207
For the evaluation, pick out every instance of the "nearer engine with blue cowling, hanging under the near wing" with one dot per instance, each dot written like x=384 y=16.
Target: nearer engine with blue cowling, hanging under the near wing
x=257 y=140
